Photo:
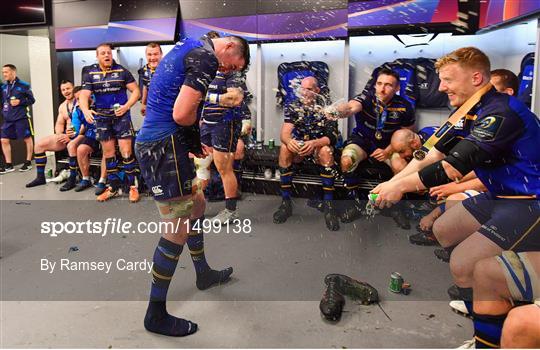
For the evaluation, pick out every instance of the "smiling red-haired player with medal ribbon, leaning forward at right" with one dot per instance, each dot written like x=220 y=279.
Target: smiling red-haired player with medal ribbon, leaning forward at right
x=501 y=148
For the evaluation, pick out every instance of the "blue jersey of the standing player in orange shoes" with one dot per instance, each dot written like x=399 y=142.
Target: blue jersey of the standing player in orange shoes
x=108 y=87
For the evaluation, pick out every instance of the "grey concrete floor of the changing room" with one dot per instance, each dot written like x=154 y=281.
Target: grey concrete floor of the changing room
x=272 y=301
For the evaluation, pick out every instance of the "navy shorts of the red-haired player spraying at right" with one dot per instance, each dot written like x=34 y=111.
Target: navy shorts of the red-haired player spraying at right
x=513 y=224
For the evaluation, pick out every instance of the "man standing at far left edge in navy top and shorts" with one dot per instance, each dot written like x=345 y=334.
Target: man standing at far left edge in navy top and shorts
x=16 y=100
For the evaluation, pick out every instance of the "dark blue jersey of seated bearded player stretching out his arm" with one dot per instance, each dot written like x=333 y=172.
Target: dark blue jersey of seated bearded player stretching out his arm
x=399 y=113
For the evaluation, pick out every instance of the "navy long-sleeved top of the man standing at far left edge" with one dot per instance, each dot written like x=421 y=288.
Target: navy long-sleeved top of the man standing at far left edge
x=20 y=90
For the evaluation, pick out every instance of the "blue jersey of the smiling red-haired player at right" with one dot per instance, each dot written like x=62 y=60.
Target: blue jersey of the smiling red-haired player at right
x=506 y=129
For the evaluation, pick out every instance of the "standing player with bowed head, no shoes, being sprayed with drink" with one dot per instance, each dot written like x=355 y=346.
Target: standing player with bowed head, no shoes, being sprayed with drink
x=169 y=133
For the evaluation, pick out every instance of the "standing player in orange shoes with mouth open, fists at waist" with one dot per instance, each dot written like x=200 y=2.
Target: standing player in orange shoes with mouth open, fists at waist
x=108 y=82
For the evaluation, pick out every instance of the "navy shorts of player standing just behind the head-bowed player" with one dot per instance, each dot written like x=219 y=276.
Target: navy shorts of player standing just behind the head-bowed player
x=222 y=136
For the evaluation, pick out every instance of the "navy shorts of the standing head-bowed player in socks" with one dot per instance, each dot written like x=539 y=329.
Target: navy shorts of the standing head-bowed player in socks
x=166 y=167
